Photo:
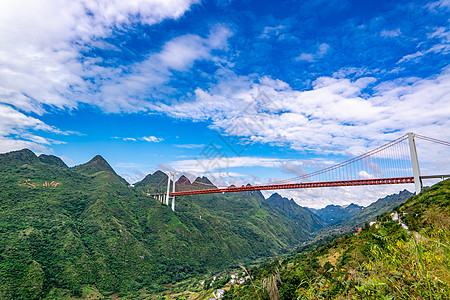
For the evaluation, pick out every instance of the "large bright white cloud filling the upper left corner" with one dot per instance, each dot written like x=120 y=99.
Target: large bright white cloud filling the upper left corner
x=40 y=54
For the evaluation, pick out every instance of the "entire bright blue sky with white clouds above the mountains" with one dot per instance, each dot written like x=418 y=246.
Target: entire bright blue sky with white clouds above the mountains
x=276 y=87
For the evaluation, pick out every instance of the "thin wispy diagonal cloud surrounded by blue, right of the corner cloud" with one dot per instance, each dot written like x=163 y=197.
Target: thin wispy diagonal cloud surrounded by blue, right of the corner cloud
x=145 y=81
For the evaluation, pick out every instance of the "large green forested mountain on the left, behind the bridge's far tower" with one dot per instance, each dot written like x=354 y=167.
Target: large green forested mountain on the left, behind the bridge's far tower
x=67 y=231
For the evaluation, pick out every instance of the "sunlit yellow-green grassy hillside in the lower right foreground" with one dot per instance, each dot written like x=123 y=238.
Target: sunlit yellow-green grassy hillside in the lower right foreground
x=408 y=258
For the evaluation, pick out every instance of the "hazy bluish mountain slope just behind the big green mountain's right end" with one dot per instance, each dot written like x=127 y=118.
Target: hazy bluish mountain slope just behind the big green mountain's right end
x=299 y=214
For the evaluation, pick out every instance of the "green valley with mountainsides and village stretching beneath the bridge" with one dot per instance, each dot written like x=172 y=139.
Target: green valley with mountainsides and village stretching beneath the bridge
x=84 y=232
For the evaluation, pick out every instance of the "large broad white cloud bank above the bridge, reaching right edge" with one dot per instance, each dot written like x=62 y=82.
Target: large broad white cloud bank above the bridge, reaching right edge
x=332 y=115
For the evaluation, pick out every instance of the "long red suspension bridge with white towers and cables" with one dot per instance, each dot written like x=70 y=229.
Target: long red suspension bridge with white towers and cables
x=393 y=163
